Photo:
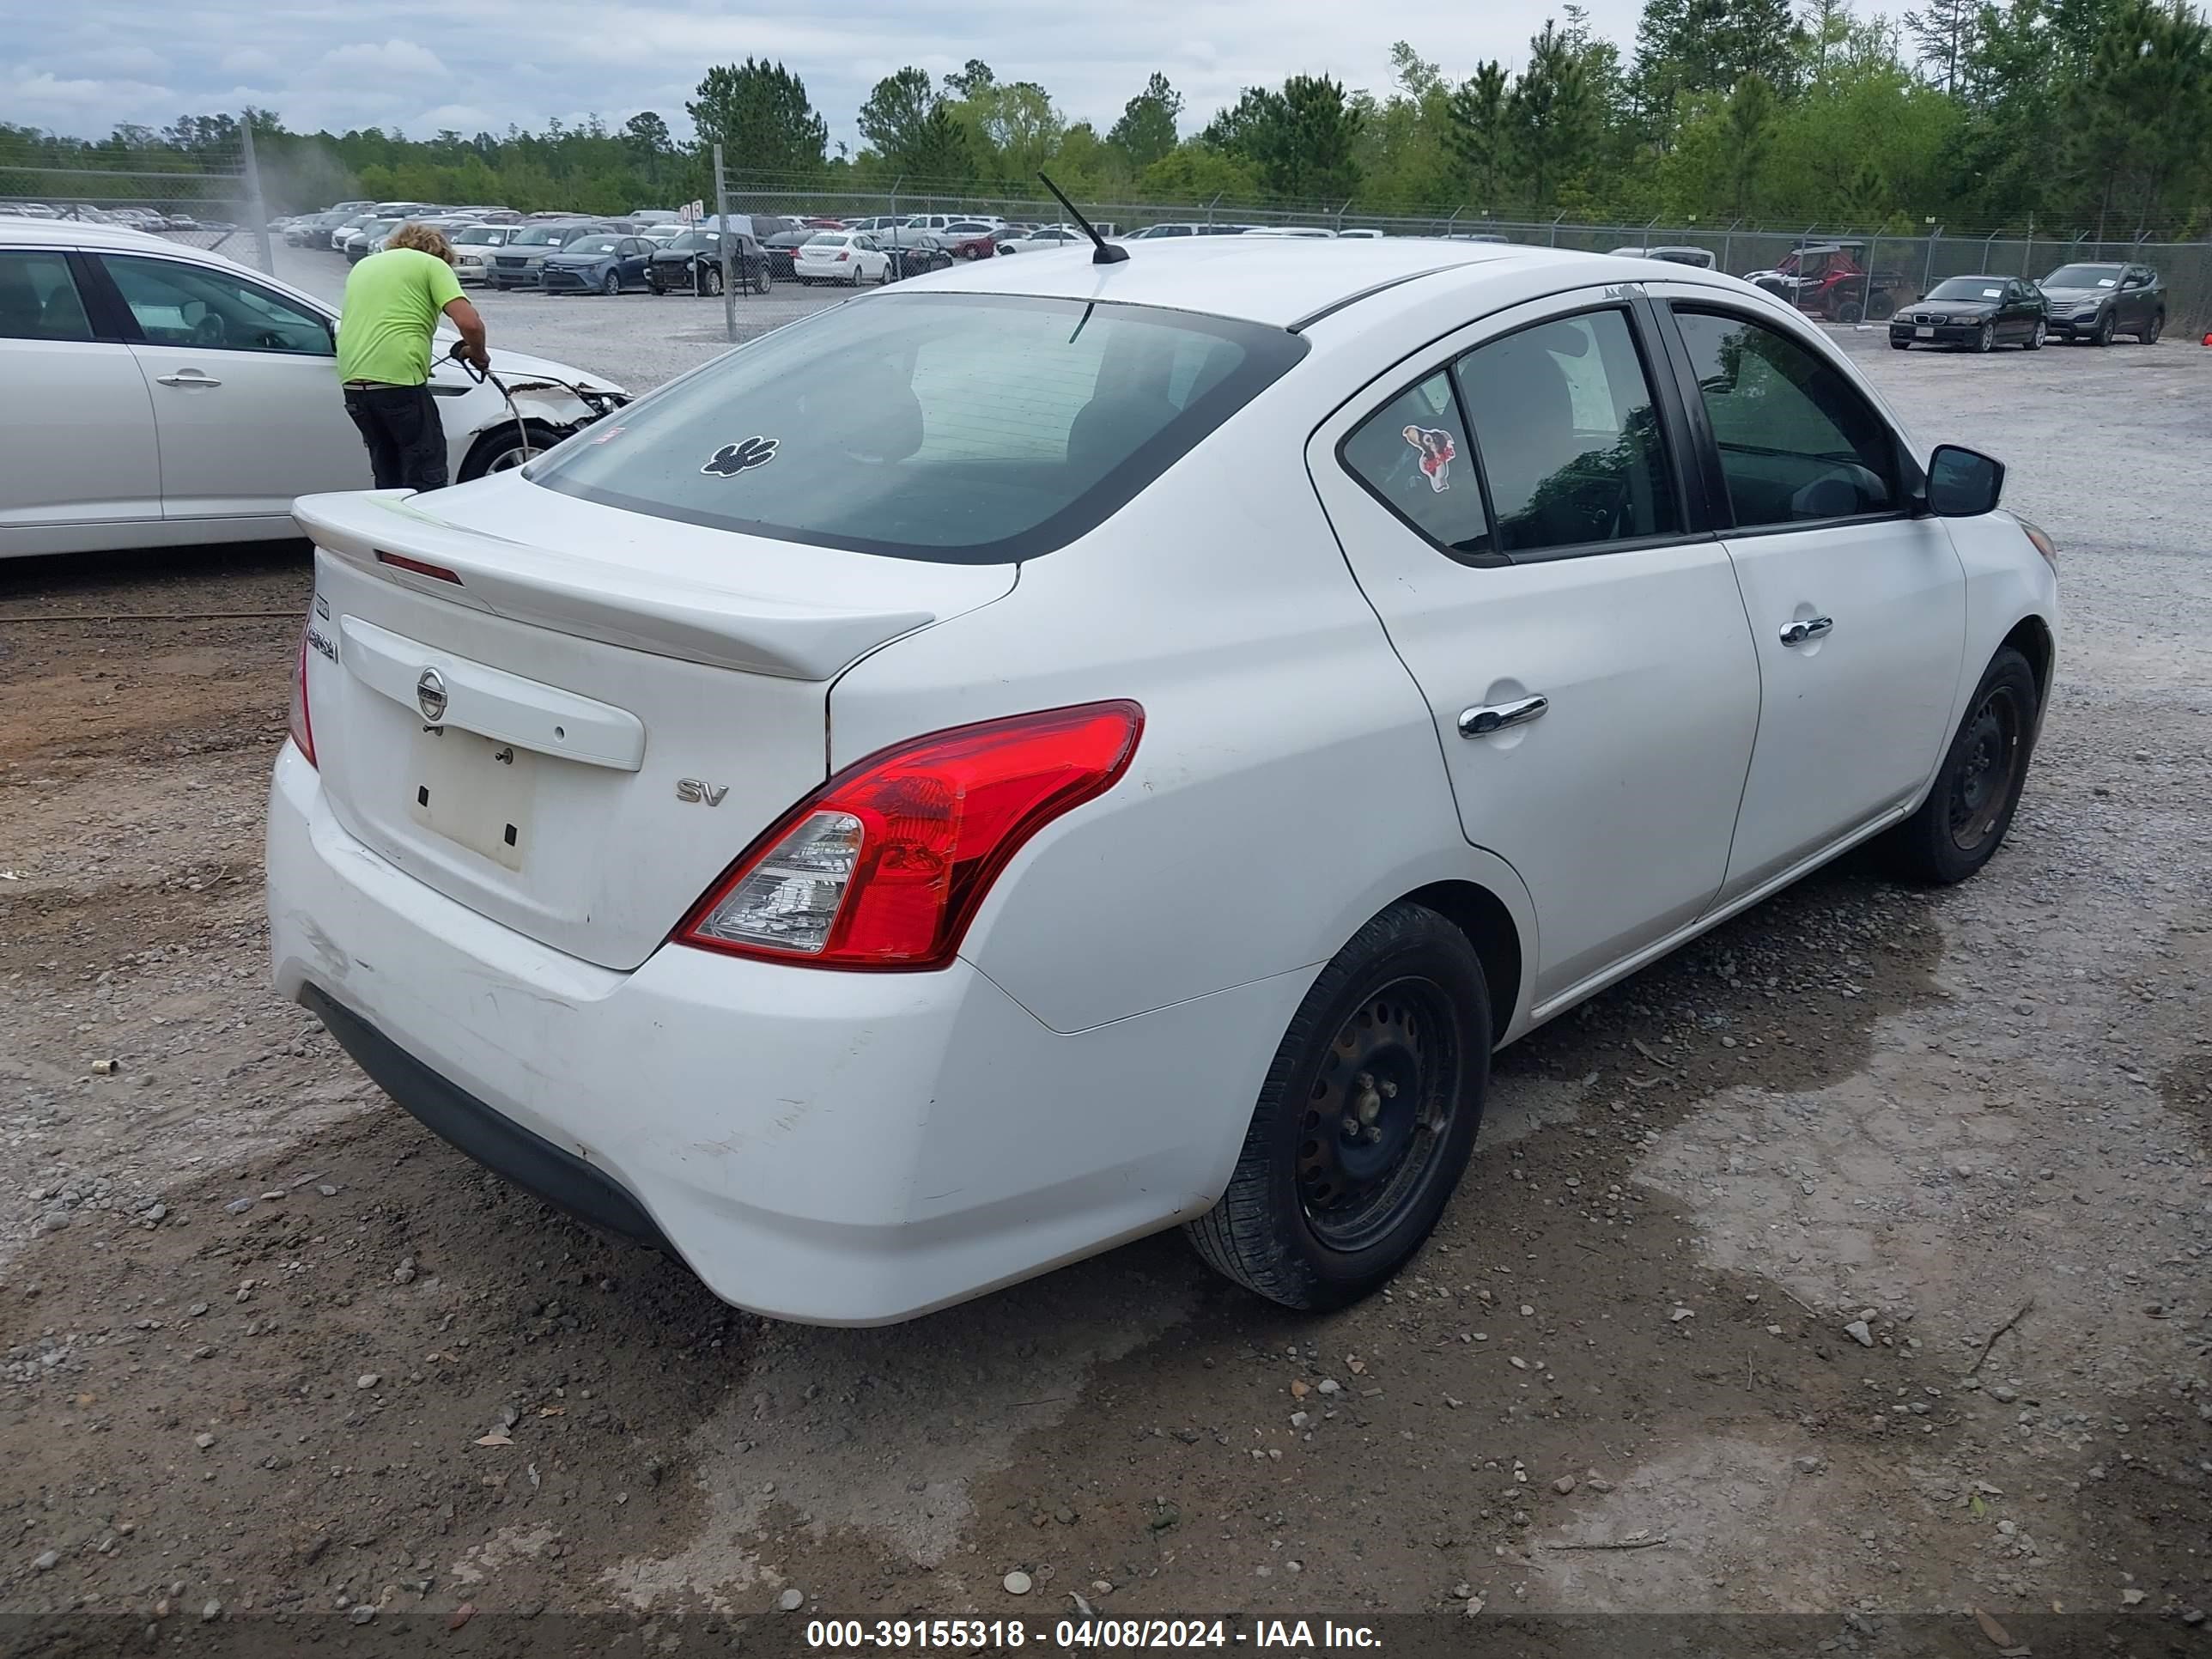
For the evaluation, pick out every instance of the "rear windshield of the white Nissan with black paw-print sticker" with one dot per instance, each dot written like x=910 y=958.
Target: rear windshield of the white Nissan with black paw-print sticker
x=952 y=428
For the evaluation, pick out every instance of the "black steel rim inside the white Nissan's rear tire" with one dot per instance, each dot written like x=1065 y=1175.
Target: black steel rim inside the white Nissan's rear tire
x=1379 y=1116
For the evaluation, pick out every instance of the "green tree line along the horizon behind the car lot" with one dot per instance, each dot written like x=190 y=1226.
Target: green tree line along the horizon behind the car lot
x=2069 y=114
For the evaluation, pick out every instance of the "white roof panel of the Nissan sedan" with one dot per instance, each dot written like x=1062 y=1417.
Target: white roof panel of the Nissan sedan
x=1269 y=280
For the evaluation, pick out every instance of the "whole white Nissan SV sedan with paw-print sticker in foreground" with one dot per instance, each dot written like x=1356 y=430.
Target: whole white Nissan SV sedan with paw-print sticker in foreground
x=1067 y=749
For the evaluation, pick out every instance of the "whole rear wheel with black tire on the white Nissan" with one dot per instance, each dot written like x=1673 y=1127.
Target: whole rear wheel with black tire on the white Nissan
x=1366 y=1120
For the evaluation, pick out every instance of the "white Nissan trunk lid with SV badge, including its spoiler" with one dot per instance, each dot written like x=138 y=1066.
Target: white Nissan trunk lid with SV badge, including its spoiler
x=572 y=718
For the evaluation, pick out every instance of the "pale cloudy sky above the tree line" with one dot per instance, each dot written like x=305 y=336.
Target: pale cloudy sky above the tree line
x=486 y=63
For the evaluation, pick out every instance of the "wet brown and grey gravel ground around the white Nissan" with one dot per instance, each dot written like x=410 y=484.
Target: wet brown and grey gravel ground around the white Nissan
x=1848 y=1264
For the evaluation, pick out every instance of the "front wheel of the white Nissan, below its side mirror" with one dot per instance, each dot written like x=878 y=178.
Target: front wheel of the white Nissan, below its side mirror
x=1976 y=791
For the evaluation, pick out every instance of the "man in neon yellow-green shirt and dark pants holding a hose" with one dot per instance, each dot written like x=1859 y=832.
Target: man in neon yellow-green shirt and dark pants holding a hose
x=386 y=331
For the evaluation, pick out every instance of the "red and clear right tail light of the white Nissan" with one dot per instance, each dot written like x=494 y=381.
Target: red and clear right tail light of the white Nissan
x=888 y=864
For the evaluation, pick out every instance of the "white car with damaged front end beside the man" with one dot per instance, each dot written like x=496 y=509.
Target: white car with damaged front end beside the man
x=167 y=395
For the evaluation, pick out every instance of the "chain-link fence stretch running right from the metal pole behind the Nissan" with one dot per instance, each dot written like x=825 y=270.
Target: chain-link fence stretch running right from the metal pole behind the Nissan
x=1892 y=269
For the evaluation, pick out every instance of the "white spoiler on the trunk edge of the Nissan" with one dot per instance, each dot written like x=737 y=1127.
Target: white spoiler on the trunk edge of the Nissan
x=388 y=536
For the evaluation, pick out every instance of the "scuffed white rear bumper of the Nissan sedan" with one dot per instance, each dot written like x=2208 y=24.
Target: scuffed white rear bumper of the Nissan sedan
x=842 y=1149
